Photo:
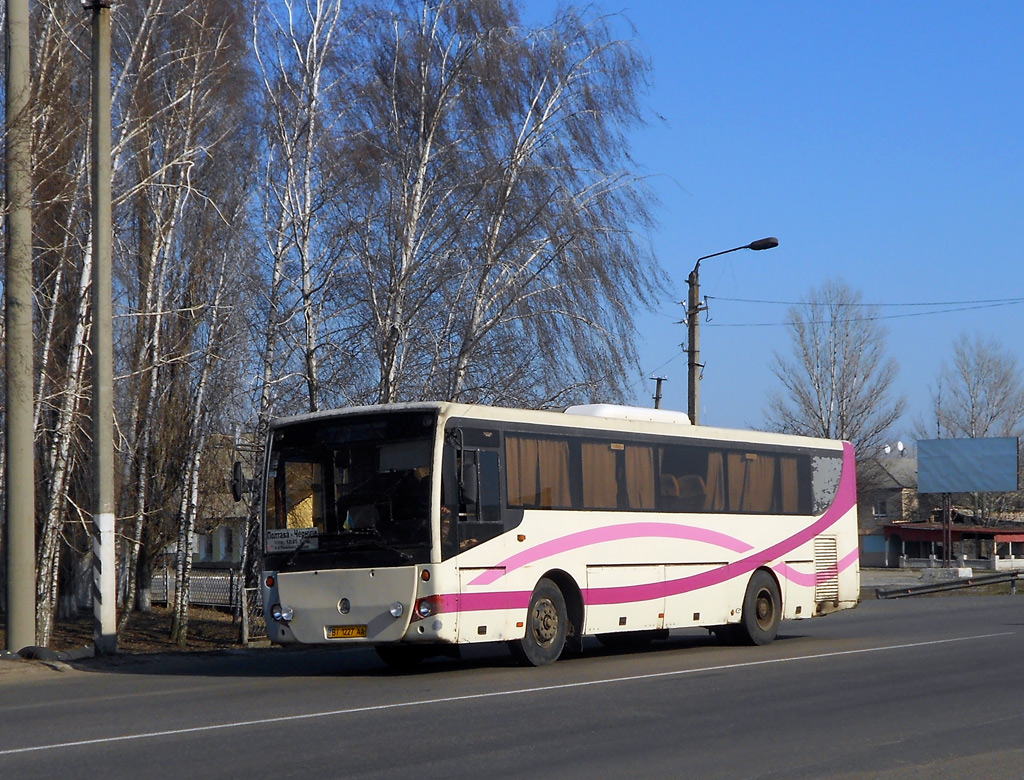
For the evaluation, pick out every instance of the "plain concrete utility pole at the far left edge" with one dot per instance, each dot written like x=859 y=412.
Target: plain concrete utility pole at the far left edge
x=21 y=476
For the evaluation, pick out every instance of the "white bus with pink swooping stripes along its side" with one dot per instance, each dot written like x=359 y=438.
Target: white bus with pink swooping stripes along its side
x=419 y=528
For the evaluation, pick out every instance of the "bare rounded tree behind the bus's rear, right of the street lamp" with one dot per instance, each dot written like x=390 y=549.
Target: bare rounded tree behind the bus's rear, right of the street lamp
x=838 y=382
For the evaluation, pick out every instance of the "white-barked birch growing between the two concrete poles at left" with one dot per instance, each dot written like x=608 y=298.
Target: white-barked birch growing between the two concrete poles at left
x=63 y=273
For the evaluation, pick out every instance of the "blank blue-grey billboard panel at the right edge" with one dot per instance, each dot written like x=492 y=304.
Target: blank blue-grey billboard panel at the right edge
x=962 y=466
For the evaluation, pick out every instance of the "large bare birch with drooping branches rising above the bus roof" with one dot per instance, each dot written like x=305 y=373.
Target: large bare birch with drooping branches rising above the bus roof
x=500 y=233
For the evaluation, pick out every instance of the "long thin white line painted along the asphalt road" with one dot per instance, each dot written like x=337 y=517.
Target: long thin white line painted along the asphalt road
x=491 y=695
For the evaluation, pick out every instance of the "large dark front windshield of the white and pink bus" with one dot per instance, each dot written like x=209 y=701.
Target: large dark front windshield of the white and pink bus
x=351 y=493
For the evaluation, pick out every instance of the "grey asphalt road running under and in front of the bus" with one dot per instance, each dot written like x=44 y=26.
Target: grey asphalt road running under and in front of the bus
x=917 y=688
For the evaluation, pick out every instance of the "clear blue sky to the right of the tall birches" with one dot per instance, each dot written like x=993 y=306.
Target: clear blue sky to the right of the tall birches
x=879 y=142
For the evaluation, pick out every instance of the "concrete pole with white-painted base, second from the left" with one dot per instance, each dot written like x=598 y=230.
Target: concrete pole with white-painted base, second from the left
x=104 y=574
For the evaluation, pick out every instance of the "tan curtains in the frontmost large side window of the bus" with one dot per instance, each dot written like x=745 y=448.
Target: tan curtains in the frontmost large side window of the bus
x=538 y=472
